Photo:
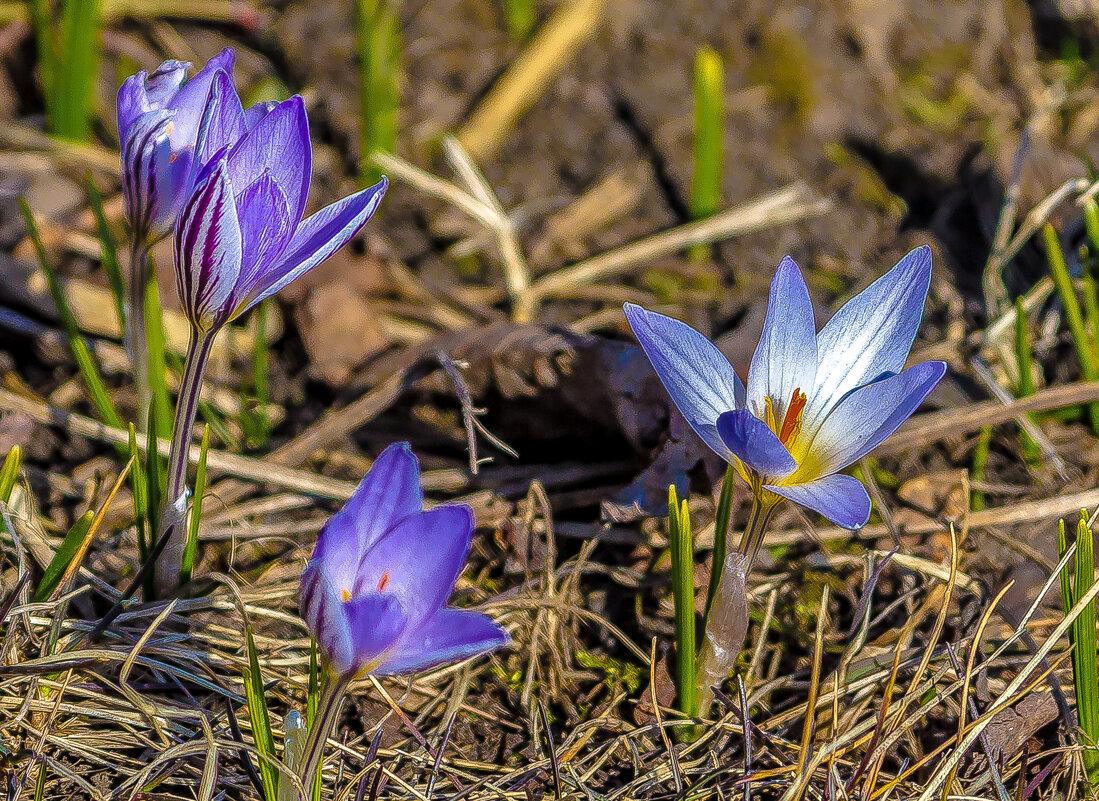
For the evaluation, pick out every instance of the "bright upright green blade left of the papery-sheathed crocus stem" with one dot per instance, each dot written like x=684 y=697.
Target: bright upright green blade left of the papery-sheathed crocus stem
x=683 y=595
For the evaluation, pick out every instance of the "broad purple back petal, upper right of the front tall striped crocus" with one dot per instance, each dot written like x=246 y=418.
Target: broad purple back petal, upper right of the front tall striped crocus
x=280 y=143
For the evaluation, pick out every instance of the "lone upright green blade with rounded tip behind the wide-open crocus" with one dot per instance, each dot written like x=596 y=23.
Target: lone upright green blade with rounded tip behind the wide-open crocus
x=709 y=136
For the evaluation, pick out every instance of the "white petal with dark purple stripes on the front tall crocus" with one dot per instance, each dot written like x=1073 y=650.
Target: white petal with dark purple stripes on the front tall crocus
x=208 y=251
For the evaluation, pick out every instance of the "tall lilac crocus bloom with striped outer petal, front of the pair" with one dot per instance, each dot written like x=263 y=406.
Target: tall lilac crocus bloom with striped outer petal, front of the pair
x=241 y=237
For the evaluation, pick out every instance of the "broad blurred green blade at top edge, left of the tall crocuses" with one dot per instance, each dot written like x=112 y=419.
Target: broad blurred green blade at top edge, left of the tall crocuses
x=76 y=70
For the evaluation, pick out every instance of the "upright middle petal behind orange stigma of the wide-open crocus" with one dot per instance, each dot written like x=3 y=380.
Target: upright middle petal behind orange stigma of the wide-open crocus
x=786 y=358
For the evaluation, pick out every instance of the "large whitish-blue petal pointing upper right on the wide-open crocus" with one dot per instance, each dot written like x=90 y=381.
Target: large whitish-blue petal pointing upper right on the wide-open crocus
x=872 y=335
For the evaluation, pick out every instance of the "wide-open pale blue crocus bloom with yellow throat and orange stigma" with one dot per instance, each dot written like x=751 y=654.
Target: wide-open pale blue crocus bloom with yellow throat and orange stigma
x=815 y=403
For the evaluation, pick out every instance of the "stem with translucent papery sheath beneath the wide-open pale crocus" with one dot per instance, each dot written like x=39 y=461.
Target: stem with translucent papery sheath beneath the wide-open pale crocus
x=728 y=622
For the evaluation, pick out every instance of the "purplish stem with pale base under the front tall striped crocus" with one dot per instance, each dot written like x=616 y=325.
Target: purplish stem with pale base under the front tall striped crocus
x=175 y=496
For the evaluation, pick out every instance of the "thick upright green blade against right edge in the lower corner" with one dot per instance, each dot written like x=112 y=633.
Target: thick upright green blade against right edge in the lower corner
x=1085 y=667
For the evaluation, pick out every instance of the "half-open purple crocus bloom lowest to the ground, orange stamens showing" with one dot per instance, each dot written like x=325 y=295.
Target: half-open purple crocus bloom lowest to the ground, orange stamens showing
x=375 y=592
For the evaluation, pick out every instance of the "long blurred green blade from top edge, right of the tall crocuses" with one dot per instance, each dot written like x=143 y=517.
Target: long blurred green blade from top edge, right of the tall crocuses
x=380 y=54
